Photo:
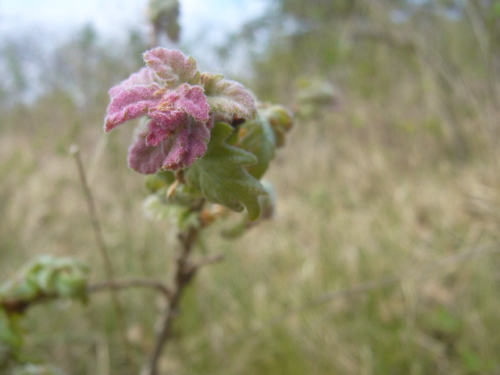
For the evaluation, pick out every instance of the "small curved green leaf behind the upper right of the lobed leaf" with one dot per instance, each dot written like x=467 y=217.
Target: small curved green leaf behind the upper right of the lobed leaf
x=257 y=137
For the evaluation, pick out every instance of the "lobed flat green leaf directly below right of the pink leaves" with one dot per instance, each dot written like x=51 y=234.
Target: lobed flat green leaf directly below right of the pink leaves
x=221 y=175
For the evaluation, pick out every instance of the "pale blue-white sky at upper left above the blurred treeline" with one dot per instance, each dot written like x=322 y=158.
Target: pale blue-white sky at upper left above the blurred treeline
x=43 y=25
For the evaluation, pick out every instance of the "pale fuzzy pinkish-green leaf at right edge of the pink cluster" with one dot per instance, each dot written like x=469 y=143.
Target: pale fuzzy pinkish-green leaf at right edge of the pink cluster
x=228 y=96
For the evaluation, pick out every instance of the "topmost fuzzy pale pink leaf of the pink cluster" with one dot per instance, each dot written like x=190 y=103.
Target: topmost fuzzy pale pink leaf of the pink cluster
x=171 y=65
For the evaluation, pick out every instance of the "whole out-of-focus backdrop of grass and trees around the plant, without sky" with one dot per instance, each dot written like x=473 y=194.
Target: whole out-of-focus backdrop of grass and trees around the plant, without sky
x=396 y=185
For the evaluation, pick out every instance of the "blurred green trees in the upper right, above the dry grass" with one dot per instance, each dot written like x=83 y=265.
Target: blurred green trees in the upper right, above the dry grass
x=442 y=51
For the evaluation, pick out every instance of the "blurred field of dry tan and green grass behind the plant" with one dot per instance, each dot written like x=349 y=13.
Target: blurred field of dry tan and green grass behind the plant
x=350 y=210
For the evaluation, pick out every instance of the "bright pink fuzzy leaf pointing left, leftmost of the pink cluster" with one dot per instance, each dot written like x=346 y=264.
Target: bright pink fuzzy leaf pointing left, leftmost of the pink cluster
x=130 y=103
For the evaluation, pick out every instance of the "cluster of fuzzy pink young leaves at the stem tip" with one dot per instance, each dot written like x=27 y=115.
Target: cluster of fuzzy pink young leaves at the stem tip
x=179 y=123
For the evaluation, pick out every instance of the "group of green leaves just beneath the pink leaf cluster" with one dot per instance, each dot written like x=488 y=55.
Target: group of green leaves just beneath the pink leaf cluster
x=228 y=174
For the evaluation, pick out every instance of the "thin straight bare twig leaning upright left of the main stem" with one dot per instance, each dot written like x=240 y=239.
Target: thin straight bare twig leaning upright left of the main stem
x=103 y=251
